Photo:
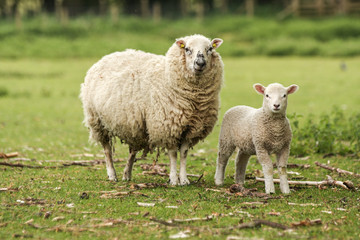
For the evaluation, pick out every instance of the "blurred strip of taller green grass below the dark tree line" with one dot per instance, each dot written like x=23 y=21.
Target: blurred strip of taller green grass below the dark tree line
x=90 y=36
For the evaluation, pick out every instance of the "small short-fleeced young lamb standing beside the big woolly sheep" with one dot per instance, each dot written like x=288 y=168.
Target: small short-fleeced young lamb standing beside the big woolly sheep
x=260 y=131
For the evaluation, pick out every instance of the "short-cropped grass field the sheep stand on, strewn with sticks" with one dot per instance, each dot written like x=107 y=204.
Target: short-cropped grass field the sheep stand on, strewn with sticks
x=41 y=118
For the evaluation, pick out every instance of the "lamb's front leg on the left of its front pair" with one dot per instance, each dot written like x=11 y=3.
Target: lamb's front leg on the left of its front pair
x=267 y=167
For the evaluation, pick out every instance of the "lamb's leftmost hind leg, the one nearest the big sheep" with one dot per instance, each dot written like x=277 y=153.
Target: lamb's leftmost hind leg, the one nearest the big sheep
x=221 y=162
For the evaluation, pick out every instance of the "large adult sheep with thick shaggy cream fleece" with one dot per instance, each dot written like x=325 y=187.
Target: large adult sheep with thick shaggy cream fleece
x=154 y=102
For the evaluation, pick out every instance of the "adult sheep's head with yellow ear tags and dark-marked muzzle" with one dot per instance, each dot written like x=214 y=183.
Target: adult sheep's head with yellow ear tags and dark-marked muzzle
x=198 y=51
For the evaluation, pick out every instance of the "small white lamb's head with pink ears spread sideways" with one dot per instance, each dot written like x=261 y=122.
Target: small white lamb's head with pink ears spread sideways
x=275 y=96
